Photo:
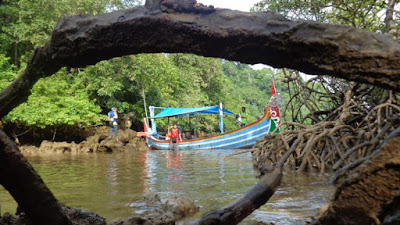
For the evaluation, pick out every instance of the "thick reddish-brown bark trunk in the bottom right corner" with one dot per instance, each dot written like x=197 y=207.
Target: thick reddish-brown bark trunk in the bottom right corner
x=359 y=199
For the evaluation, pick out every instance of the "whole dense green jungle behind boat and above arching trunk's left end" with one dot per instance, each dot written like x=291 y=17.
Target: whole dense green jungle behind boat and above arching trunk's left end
x=82 y=97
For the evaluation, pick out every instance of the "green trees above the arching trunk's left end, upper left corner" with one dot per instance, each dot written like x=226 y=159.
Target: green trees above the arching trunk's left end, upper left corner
x=26 y=24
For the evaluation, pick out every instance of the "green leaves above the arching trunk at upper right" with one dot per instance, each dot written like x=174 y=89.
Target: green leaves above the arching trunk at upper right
x=358 y=13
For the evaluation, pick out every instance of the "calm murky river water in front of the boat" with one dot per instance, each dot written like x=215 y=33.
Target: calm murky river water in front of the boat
x=108 y=183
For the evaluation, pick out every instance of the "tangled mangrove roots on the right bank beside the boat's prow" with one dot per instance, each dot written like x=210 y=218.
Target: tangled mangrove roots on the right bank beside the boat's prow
x=339 y=139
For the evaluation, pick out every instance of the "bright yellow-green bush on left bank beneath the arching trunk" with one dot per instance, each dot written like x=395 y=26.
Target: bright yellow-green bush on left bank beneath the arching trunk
x=53 y=102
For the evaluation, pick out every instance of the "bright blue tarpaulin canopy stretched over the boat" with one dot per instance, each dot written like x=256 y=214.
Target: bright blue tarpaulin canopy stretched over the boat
x=172 y=112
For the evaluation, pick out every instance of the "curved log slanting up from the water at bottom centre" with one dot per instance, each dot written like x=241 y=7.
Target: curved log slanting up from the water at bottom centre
x=252 y=200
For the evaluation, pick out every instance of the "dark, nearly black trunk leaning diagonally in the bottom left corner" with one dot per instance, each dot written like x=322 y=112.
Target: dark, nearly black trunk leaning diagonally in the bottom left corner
x=27 y=188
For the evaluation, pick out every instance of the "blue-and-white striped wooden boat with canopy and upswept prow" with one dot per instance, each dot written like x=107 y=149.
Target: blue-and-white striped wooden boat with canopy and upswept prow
x=242 y=138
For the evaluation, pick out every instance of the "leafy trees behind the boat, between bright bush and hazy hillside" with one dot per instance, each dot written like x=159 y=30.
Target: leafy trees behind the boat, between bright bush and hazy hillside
x=174 y=80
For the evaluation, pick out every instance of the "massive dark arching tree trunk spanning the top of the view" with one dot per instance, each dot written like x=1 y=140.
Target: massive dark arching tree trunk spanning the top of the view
x=257 y=37
